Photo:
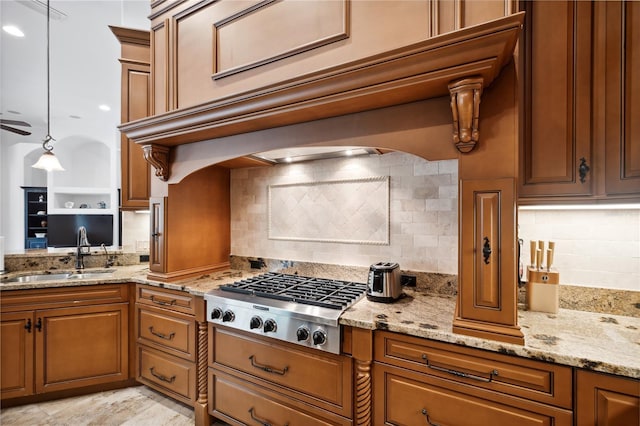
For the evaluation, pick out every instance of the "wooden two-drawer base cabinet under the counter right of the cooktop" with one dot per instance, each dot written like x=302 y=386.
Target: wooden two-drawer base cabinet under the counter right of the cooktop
x=418 y=381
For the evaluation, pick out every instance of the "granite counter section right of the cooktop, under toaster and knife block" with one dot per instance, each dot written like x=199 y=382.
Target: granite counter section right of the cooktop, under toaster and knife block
x=595 y=341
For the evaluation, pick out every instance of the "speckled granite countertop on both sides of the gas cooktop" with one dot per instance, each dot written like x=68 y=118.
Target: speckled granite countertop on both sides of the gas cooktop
x=595 y=341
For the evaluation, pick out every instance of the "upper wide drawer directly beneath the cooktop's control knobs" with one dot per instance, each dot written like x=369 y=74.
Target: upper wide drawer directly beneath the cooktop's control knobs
x=320 y=378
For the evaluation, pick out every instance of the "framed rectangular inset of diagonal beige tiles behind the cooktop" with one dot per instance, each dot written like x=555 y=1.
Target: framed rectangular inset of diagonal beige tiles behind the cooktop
x=352 y=211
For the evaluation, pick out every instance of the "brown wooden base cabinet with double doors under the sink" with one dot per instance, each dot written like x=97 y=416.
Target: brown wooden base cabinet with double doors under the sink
x=45 y=333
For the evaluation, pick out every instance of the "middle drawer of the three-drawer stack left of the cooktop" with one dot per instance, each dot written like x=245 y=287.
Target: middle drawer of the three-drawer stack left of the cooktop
x=168 y=331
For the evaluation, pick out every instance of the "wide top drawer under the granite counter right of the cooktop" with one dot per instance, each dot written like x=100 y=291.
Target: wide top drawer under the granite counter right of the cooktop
x=534 y=380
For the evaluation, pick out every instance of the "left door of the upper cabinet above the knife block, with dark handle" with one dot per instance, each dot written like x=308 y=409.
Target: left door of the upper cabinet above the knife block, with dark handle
x=557 y=100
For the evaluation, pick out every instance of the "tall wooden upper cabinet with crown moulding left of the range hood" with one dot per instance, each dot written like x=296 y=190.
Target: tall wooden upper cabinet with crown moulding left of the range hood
x=135 y=104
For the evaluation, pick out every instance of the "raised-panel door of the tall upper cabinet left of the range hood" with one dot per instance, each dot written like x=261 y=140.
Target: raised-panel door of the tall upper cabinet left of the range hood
x=136 y=175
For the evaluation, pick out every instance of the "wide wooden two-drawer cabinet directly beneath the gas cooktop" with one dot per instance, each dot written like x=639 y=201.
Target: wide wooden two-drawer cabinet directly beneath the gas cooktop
x=251 y=379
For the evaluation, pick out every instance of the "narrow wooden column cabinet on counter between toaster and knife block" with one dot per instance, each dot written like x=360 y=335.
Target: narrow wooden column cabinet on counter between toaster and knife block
x=487 y=298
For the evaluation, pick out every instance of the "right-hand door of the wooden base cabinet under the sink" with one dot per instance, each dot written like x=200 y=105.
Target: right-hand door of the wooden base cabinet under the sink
x=81 y=346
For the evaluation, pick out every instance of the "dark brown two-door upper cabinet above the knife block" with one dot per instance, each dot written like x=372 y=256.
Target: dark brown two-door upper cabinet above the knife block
x=578 y=142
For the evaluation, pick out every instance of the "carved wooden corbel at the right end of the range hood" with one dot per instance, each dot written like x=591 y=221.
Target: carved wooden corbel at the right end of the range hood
x=465 y=106
